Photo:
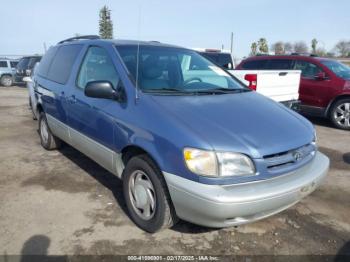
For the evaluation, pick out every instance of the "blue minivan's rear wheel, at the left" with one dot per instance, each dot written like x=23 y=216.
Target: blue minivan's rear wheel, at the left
x=47 y=139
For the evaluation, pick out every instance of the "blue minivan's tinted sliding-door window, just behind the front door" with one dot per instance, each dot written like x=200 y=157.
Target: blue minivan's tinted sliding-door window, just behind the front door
x=62 y=64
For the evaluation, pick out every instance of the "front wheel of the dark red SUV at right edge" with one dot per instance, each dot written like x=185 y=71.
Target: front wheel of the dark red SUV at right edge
x=340 y=114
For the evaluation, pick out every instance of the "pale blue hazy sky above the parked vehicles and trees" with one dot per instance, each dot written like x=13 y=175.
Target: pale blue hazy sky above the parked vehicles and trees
x=26 y=25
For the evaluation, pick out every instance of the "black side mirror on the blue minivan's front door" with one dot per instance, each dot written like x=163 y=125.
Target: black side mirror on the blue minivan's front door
x=104 y=89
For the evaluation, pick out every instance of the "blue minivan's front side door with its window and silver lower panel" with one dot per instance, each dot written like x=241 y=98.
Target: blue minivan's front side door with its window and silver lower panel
x=91 y=119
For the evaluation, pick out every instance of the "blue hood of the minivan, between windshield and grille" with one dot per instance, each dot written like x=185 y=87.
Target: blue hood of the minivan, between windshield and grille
x=241 y=122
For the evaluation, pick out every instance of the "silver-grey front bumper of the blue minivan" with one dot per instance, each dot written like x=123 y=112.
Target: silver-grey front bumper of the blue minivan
x=229 y=205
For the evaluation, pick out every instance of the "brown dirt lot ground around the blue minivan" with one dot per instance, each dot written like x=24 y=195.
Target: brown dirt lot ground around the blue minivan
x=60 y=202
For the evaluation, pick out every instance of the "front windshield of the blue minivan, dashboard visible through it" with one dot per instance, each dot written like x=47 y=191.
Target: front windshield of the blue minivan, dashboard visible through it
x=176 y=70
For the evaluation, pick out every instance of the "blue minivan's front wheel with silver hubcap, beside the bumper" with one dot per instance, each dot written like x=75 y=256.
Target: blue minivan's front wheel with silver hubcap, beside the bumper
x=142 y=183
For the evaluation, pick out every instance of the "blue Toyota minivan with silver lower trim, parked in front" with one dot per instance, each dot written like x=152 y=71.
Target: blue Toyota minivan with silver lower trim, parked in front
x=187 y=139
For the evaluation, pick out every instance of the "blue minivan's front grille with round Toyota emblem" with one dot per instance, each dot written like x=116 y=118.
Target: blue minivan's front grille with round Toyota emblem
x=291 y=157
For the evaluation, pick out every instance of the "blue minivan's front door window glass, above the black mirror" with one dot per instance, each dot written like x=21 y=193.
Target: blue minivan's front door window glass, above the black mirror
x=97 y=66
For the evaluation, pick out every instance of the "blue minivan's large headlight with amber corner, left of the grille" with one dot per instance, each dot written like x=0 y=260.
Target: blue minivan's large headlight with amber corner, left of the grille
x=209 y=163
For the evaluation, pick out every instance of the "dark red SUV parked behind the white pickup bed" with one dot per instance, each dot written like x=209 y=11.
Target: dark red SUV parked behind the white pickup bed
x=324 y=86
